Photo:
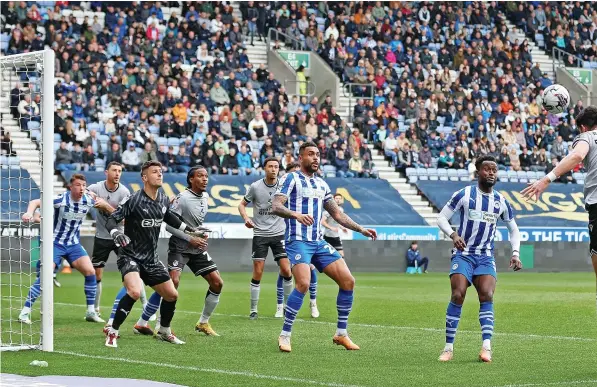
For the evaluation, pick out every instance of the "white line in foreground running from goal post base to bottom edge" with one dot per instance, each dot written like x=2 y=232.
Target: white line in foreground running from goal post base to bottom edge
x=209 y=370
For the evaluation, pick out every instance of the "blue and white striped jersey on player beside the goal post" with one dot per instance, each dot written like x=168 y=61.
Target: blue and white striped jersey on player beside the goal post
x=68 y=217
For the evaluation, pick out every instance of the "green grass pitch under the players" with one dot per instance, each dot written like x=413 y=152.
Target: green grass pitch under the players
x=398 y=320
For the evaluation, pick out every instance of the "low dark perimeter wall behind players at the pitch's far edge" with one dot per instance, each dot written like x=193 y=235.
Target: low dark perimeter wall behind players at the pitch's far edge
x=234 y=255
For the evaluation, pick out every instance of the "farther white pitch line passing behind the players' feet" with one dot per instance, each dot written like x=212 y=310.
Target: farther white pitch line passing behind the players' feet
x=506 y=334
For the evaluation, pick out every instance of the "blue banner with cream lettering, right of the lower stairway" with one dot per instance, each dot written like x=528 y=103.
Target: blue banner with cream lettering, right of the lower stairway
x=561 y=206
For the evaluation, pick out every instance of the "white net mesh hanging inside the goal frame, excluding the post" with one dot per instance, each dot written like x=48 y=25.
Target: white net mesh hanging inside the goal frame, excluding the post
x=21 y=119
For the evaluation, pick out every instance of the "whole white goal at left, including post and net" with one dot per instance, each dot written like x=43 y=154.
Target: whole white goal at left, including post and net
x=27 y=153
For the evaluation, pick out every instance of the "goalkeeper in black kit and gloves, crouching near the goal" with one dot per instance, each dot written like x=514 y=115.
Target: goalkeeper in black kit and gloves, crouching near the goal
x=138 y=261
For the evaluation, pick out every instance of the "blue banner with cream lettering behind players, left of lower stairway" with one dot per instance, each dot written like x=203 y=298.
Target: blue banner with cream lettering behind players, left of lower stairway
x=367 y=201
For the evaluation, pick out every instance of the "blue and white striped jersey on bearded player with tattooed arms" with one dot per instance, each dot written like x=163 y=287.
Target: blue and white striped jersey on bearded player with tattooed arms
x=306 y=195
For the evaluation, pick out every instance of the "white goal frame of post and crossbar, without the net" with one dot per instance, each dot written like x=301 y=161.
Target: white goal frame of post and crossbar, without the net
x=47 y=57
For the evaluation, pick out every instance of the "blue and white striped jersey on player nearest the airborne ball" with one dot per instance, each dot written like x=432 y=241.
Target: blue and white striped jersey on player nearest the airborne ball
x=479 y=213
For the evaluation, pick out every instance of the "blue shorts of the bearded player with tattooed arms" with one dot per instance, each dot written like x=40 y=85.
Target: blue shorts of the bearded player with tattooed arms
x=319 y=253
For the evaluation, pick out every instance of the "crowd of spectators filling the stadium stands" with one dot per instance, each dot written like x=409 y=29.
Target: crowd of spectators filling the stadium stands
x=438 y=83
